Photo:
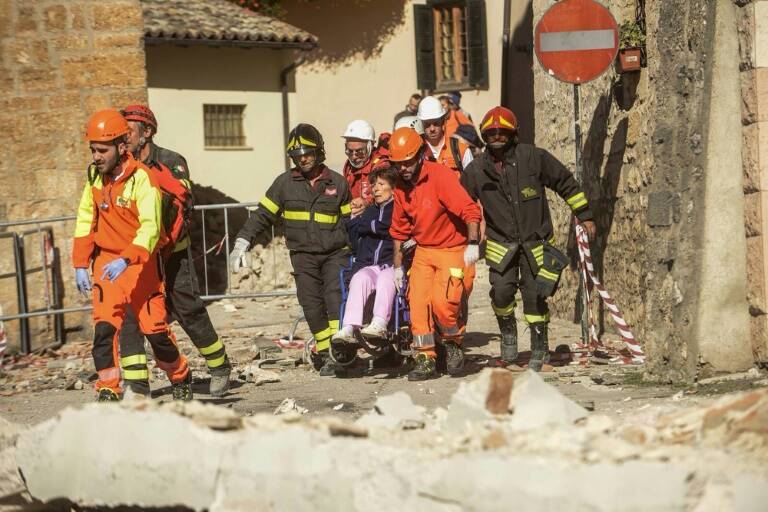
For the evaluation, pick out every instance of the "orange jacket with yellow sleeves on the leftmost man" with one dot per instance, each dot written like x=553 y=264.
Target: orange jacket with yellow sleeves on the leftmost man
x=121 y=216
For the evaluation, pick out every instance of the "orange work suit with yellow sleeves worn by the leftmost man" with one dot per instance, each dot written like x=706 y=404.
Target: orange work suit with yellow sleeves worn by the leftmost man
x=121 y=219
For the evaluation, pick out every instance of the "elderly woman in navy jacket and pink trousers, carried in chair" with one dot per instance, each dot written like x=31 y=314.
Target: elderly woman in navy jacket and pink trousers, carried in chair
x=372 y=270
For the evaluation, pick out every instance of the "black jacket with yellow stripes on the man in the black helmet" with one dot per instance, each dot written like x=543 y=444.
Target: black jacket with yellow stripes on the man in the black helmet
x=315 y=217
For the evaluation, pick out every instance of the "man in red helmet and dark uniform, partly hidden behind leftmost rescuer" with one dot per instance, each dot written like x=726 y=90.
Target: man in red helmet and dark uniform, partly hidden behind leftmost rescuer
x=181 y=289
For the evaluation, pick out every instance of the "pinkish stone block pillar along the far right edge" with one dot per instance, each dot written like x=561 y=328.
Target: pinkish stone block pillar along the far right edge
x=753 y=45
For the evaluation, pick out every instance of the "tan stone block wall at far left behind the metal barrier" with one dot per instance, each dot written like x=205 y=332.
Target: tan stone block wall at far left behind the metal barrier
x=59 y=62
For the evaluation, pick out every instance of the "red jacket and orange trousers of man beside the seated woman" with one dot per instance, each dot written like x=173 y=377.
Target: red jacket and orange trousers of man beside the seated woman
x=435 y=212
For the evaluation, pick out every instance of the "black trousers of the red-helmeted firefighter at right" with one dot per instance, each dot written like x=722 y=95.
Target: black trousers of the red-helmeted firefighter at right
x=504 y=285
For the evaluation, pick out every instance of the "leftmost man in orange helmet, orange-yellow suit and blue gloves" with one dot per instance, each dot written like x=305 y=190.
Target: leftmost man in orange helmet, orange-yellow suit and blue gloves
x=116 y=234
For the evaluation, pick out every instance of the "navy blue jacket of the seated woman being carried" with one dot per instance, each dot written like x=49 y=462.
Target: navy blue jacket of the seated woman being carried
x=369 y=235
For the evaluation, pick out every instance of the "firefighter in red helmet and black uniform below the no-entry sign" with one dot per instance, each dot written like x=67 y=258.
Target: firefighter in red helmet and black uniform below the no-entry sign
x=509 y=180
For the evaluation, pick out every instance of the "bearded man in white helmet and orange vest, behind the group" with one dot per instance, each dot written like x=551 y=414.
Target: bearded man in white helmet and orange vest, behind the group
x=442 y=147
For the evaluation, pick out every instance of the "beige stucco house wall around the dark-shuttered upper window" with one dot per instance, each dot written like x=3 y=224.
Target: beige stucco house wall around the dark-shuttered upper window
x=365 y=67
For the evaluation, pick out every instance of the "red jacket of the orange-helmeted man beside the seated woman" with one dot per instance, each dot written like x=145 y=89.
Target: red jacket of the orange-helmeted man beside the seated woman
x=435 y=211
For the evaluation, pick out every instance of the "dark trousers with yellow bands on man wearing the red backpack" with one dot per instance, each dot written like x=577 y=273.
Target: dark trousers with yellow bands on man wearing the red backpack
x=183 y=302
